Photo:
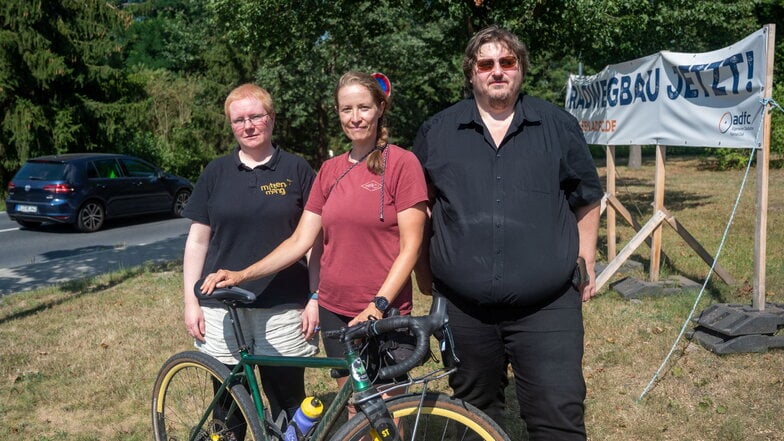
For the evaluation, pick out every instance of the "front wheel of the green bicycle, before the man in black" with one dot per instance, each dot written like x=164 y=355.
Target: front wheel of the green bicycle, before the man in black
x=440 y=418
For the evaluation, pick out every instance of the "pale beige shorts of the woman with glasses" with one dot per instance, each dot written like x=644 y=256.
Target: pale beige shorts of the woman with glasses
x=267 y=331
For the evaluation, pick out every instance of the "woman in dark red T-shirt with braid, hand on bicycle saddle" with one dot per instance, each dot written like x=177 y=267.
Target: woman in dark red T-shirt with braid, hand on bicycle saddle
x=370 y=203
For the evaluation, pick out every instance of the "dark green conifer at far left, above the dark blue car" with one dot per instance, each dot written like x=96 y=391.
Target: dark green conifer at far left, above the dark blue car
x=61 y=82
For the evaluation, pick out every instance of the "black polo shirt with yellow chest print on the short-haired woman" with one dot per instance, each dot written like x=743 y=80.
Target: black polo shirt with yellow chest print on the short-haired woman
x=250 y=212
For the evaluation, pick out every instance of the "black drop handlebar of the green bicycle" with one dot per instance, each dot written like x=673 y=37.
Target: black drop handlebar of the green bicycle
x=422 y=328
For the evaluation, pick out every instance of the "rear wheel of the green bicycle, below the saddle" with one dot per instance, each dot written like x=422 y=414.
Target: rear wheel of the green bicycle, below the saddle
x=184 y=389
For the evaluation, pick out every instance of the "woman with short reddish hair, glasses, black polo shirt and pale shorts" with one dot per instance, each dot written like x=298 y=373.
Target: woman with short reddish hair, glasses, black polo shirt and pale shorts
x=243 y=206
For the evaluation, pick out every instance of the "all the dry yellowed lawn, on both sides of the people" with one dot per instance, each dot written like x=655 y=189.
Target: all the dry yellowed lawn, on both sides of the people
x=78 y=361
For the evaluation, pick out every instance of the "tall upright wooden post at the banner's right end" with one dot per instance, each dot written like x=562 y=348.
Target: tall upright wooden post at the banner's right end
x=763 y=162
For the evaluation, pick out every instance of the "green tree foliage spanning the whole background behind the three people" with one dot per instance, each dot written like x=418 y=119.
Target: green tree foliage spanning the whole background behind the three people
x=149 y=76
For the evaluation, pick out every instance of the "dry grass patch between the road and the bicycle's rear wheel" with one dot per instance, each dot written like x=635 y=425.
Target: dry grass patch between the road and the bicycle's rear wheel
x=78 y=362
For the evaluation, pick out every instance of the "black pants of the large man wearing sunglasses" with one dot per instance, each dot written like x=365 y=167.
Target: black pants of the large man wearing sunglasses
x=545 y=348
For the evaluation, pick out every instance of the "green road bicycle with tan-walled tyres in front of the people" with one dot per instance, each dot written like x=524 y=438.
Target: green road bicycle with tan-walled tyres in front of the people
x=197 y=398
